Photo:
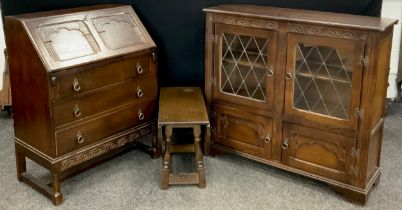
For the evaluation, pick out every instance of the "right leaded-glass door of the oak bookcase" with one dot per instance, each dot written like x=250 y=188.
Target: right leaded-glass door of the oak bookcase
x=323 y=79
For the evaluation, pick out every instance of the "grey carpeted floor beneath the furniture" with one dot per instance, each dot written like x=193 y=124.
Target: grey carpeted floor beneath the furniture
x=131 y=181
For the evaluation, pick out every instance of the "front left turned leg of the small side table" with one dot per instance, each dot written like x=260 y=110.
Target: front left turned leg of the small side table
x=166 y=158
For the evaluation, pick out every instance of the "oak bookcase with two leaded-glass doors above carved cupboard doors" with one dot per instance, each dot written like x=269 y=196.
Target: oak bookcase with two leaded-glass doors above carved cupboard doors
x=300 y=90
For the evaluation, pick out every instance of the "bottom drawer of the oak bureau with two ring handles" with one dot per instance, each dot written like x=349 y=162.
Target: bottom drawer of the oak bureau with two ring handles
x=78 y=136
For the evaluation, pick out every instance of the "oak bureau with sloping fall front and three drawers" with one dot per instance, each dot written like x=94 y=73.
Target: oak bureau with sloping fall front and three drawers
x=84 y=85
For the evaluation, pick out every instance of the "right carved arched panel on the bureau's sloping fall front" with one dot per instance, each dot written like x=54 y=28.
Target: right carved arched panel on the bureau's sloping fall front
x=118 y=31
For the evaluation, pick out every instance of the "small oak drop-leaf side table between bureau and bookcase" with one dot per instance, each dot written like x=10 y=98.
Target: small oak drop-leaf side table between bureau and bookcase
x=182 y=107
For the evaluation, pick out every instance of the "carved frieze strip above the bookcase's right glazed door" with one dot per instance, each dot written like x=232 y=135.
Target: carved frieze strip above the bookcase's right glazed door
x=327 y=31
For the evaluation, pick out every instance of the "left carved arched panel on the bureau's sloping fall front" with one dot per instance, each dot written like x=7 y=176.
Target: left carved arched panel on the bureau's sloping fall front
x=68 y=40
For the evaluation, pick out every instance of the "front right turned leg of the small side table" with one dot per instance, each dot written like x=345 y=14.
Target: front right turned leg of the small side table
x=198 y=156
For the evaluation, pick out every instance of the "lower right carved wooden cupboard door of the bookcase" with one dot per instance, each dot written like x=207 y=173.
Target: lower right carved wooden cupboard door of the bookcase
x=318 y=152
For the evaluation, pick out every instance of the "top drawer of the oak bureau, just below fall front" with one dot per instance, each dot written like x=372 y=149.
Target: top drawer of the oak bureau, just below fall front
x=99 y=75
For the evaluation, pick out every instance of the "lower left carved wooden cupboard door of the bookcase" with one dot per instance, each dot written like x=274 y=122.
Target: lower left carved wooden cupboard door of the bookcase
x=243 y=131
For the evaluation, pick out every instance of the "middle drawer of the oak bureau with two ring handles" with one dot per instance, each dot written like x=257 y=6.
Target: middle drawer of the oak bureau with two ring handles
x=132 y=91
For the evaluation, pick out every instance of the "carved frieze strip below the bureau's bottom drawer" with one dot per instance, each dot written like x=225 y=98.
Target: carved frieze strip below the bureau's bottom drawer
x=104 y=148
